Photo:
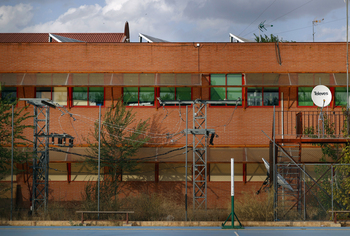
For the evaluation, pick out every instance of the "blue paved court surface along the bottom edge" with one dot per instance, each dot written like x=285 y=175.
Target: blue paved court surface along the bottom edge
x=168 y=231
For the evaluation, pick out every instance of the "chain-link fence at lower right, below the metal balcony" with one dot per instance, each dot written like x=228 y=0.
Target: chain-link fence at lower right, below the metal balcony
x=311 y=191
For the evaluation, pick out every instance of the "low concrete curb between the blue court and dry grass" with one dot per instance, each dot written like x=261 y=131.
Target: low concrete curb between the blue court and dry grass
x=174 y=223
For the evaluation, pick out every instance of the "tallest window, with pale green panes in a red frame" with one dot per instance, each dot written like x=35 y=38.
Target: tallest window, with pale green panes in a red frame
x=225 y=93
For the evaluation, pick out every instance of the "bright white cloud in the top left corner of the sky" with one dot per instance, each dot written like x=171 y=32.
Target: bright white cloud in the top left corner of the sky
x=13 y=18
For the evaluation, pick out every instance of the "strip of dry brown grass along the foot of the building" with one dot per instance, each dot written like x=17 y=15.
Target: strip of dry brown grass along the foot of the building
x=157 y=207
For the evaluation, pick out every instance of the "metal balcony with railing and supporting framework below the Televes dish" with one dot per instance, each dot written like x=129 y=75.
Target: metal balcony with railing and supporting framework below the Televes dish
x=291 y=131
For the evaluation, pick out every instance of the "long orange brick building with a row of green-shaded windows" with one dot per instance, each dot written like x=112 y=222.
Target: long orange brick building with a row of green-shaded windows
x=83 y=75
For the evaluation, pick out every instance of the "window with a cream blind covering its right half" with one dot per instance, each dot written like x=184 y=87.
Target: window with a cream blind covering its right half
x=56 y=94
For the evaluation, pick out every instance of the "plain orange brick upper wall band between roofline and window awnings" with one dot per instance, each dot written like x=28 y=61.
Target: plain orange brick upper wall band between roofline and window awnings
x=172 y=57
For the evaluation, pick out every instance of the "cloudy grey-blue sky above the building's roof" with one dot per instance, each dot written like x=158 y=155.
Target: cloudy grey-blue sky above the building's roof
x=180 y=20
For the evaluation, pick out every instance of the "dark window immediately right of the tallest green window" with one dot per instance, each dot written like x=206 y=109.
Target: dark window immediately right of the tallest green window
x=258 y=96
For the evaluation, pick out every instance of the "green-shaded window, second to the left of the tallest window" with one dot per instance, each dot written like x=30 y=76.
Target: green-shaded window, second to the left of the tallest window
x=138 y=96
